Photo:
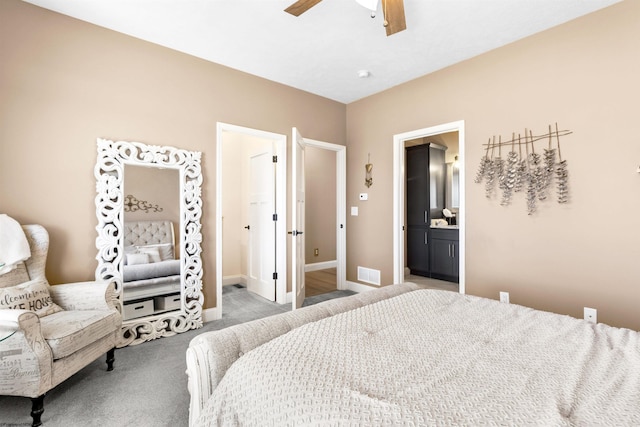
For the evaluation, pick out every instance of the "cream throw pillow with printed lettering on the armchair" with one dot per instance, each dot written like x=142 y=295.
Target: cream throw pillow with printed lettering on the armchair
x=33 y=295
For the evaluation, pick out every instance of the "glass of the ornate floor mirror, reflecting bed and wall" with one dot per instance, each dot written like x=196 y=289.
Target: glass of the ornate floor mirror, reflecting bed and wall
x=151 y=265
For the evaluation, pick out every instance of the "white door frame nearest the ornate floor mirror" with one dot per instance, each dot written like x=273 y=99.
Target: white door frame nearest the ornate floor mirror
x=280 y=142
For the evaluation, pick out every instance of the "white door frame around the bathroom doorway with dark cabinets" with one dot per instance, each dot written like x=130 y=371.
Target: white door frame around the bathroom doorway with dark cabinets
x=399 y=195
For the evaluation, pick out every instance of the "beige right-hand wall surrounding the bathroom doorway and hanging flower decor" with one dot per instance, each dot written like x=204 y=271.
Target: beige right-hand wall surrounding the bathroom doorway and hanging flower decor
x=583 y=75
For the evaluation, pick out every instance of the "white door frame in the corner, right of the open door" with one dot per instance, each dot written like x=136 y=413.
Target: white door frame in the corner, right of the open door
x=341 y=207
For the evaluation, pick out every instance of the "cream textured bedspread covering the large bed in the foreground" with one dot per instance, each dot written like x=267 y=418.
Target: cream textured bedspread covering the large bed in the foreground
x=432 y=357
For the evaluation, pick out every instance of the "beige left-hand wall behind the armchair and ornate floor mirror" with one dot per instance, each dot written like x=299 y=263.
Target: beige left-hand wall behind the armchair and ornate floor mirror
x=64 y=83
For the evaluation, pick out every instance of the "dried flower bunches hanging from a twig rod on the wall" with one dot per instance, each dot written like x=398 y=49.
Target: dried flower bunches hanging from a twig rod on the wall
x=527 y=171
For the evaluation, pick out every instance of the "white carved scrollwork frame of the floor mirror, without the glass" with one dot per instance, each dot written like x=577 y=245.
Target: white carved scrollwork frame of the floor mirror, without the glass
x=109 y=173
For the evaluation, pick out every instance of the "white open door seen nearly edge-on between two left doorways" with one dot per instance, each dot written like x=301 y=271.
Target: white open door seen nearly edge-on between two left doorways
x=297 y=220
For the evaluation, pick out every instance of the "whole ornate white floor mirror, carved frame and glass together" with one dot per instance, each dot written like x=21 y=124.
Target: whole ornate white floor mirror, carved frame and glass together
x=162 y=294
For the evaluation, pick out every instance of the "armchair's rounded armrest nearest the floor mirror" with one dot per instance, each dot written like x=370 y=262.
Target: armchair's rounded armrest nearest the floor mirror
x=85 y=296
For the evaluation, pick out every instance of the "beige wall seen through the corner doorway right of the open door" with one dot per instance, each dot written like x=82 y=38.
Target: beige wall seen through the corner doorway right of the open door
x=320 y=204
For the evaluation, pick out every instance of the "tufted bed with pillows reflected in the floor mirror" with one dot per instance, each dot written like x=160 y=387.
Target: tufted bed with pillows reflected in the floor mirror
x=150 y=267
